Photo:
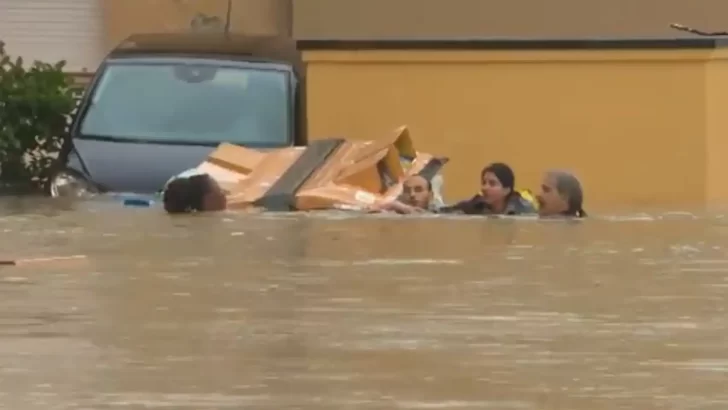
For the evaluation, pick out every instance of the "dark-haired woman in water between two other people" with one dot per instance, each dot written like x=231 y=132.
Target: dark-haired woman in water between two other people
x=497 y=196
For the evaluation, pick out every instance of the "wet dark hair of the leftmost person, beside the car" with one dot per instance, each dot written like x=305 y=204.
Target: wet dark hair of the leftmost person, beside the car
x=187 y=194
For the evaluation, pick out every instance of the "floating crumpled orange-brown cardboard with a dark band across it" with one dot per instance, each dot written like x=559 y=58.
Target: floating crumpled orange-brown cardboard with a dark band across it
x=326 y=174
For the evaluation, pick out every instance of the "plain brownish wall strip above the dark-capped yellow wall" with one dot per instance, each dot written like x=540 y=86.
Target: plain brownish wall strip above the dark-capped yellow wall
x=512 y=18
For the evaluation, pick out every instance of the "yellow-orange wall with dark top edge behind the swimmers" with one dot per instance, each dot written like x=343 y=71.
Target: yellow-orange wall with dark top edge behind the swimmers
x=640 y=128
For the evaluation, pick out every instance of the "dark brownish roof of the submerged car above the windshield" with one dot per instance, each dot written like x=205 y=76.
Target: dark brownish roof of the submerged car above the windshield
x=216 y=45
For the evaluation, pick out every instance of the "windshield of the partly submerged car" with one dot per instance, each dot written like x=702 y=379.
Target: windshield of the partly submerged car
x=190 y=103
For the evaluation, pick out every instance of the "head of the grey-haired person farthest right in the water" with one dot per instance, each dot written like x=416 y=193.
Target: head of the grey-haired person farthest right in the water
x=561 y=195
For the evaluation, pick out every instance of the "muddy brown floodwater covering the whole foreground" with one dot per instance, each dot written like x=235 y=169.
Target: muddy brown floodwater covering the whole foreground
x=346 y=312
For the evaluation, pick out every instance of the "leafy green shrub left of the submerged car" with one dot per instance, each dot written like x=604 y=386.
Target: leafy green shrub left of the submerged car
x=36 y=102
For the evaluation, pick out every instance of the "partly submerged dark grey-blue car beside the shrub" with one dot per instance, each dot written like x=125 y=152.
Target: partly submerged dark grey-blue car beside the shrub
x=161 y=103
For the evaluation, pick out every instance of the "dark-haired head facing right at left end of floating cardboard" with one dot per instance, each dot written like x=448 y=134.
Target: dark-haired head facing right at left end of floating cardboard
x=196 y=193
